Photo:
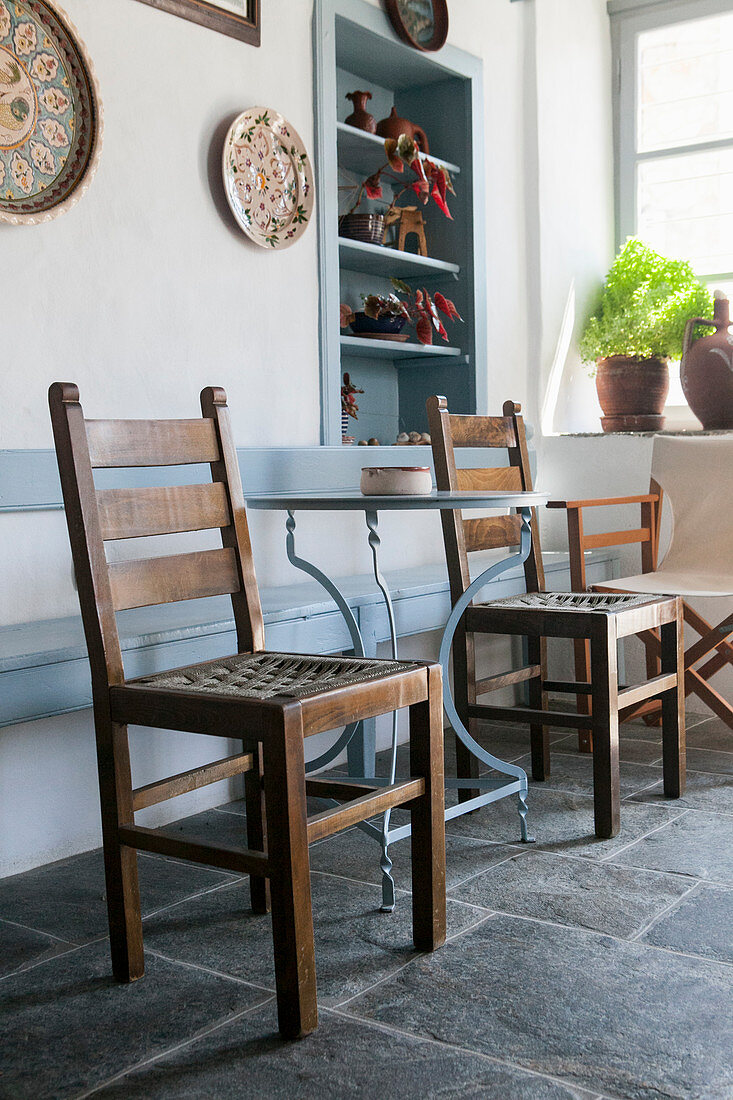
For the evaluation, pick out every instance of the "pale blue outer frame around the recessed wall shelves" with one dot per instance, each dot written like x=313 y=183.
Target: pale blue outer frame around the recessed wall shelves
x=336 y=25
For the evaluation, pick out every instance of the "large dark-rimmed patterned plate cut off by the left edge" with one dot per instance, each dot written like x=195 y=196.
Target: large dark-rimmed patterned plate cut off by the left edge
x=50 y=114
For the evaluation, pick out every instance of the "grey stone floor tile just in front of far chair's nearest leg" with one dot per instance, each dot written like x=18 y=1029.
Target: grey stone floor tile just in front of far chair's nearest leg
x=617 y=900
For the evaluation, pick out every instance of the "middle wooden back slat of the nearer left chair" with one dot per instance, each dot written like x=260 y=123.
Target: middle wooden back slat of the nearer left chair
x=134 y=513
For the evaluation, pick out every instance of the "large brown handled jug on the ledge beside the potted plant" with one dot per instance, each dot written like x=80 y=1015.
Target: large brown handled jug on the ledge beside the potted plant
x=707 y=370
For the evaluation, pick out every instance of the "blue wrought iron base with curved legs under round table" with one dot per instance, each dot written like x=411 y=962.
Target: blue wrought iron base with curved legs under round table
x=496 y=789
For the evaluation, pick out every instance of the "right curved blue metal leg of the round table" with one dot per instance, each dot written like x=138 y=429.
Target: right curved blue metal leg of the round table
x=520 y=787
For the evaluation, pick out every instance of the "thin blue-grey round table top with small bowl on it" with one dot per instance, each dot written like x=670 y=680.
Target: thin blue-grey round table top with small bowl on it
x=354 y=500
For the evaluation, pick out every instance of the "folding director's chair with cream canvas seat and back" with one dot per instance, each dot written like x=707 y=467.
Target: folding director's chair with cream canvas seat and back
x=696 y=476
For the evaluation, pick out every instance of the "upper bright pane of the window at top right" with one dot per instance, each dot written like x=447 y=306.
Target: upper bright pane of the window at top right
x=686 y=84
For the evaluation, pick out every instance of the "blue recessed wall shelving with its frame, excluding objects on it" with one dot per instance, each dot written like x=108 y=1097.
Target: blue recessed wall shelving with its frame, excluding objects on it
x=355 y=47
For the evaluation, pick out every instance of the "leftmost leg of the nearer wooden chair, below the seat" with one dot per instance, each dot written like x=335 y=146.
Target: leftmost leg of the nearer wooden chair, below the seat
x=121 y=863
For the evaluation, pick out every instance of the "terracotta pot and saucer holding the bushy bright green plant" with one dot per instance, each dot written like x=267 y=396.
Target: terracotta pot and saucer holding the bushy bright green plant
x=632 y=393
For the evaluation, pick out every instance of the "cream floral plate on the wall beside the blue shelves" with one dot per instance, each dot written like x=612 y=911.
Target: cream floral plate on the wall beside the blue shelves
x=268 y=179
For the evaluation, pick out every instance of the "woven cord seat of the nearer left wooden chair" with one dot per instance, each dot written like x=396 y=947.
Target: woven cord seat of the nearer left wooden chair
x=265 y=676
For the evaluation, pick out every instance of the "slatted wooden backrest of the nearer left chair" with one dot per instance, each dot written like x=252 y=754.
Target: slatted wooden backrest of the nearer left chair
x=96 y=516
